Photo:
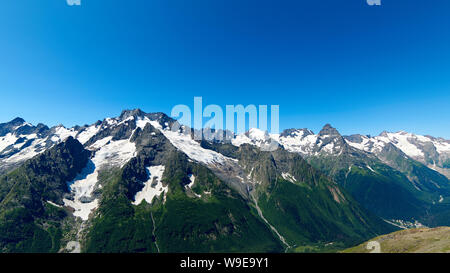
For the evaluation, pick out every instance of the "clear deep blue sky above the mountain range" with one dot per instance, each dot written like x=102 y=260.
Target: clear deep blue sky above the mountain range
x=364 y=69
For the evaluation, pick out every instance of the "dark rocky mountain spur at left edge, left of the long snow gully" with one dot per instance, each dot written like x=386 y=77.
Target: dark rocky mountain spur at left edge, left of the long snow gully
x=25 y=193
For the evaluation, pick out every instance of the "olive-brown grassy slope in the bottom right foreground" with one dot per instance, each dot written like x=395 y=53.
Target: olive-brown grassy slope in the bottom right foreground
x=421 y=240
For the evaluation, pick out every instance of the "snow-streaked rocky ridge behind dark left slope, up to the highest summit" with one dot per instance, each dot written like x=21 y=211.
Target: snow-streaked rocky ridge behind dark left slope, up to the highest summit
x=20 y=140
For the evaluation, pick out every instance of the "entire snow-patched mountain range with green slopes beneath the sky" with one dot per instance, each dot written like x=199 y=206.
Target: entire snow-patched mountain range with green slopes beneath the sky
x=134 y=184
